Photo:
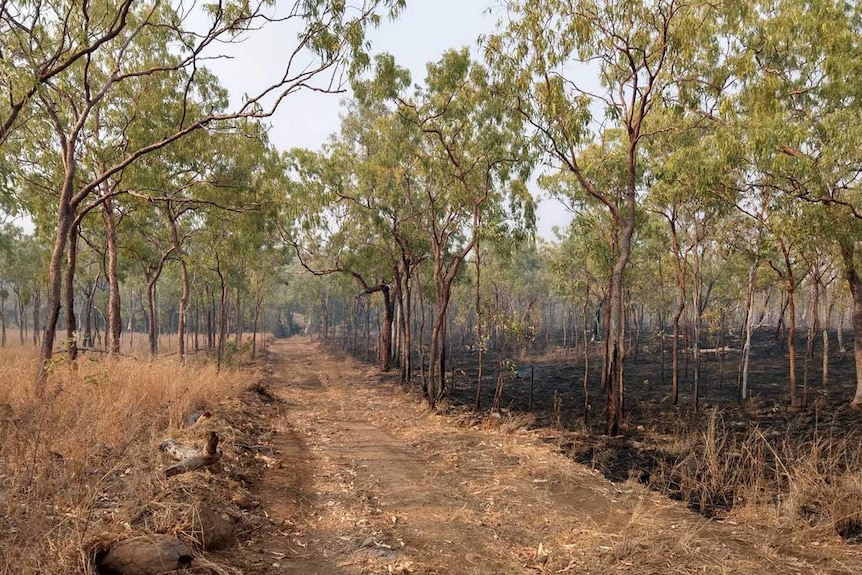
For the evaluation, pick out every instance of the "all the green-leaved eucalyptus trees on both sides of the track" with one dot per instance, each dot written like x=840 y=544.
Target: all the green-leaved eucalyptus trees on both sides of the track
x=710 y=155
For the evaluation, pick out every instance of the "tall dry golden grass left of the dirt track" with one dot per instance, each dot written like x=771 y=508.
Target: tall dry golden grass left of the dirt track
x=75 y=461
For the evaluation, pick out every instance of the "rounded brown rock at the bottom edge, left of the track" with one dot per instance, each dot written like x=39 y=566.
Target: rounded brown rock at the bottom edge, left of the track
x=145 y=555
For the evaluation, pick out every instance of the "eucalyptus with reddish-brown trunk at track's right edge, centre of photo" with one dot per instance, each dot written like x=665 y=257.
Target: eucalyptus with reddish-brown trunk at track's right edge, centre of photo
x=473 y=160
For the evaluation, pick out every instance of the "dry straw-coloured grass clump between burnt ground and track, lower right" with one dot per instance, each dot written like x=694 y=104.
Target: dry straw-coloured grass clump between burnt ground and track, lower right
x=809 y=480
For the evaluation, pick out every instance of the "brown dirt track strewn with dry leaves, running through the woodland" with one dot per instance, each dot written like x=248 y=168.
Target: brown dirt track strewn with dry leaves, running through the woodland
x=372 y=482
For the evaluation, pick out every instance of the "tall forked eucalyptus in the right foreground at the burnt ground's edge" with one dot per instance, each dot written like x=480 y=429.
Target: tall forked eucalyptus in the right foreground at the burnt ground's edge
x=643 y=53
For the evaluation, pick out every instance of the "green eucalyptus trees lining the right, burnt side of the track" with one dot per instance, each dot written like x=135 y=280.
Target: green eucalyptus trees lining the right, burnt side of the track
x=707 y=151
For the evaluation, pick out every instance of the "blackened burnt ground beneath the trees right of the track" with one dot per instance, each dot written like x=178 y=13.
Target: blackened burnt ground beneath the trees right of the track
x=653 y=427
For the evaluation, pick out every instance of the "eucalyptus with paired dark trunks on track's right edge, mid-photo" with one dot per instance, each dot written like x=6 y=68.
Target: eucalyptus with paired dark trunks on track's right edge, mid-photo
x=377 y=153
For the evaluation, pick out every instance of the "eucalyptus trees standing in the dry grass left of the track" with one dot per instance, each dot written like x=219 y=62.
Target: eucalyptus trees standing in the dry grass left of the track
x=129 y=158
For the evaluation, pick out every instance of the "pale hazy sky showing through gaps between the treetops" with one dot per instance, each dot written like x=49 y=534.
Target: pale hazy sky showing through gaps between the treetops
x=423 y=32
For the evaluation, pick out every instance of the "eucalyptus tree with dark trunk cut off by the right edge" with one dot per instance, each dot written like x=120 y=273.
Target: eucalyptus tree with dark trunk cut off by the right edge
x=797 y=109
